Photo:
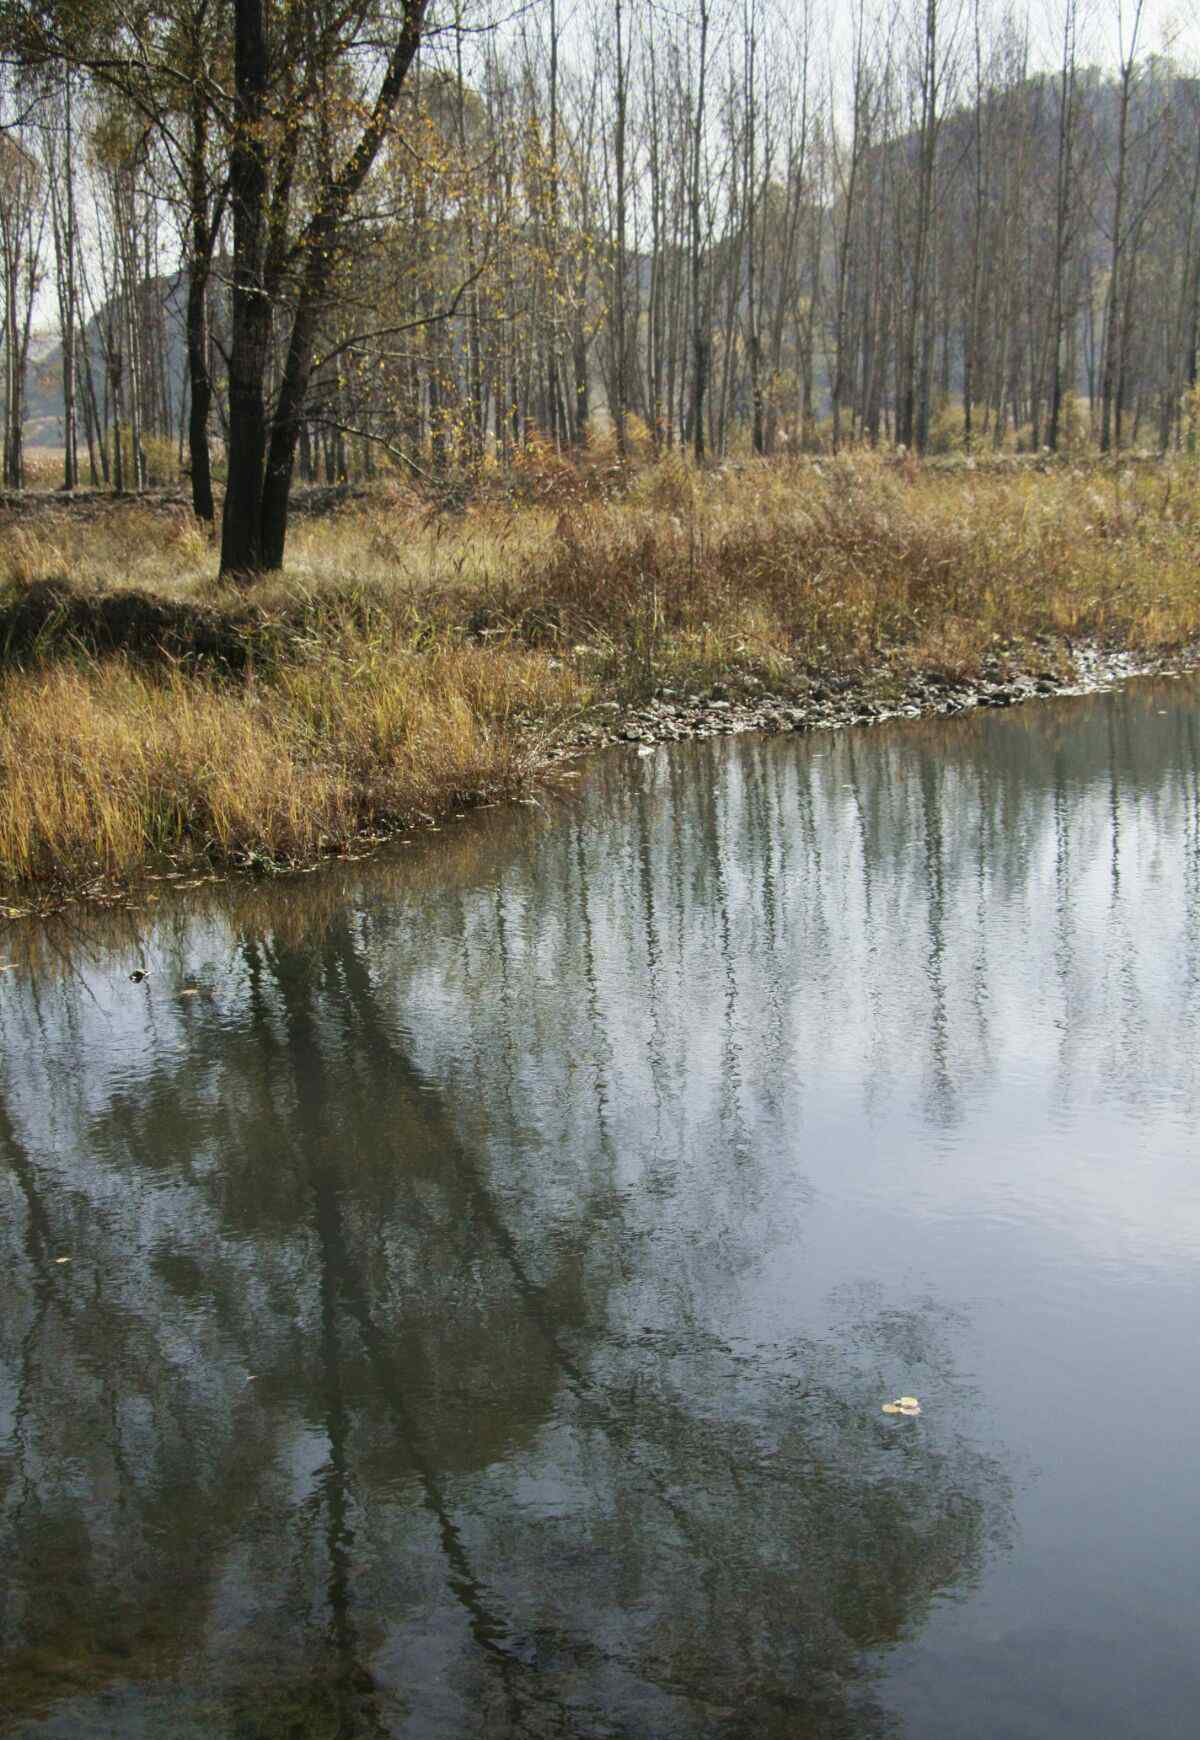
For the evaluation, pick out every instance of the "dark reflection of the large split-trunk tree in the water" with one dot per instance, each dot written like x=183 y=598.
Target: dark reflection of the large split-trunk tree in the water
x=316 y=1405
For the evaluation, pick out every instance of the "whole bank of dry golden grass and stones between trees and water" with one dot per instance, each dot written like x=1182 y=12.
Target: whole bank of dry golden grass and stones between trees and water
x=423 y=655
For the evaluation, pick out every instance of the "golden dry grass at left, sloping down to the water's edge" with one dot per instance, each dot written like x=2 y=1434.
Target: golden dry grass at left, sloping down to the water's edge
x=107 y=766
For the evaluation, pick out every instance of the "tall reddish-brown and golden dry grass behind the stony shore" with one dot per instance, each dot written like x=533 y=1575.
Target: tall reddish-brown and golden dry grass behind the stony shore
x=857 y=561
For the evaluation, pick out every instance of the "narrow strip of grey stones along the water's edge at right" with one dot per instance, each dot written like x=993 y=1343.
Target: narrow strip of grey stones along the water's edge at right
x=834 y=704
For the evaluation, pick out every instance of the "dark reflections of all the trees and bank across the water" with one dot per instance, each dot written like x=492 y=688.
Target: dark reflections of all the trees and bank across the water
x=425 y=1360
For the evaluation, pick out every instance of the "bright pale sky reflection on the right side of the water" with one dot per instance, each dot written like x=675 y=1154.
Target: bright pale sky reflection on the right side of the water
x=992 y=1095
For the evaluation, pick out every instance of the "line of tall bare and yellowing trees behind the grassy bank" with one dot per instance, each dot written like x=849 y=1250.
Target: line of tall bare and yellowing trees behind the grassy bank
x=389 y=232
